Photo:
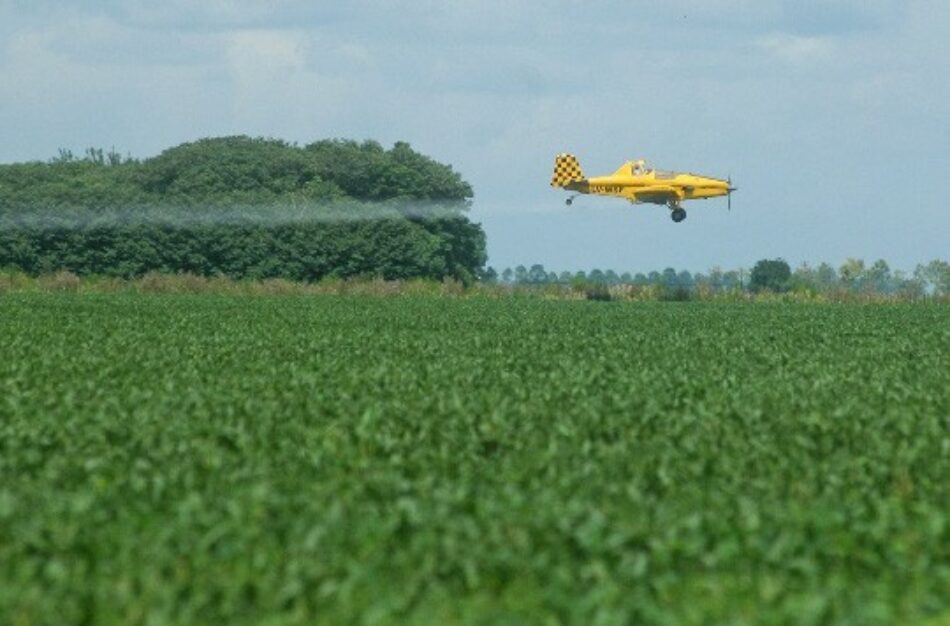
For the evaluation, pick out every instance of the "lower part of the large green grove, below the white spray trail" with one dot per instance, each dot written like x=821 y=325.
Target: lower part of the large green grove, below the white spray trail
x=395 y=248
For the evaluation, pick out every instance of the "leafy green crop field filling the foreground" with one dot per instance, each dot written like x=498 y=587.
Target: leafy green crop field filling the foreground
x=359 y=460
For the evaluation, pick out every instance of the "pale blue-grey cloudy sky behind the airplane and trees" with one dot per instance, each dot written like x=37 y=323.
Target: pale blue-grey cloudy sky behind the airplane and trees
x=831 y=116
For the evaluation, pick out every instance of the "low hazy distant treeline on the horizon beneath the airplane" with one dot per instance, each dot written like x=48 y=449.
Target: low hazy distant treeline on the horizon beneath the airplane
x=774 y=275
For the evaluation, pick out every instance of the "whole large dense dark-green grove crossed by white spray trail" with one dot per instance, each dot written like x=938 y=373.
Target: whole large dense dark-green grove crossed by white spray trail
x=244 y=208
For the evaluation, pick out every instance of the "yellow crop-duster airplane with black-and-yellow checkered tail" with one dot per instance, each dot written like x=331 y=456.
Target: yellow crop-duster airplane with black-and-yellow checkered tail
x=638 y=183
